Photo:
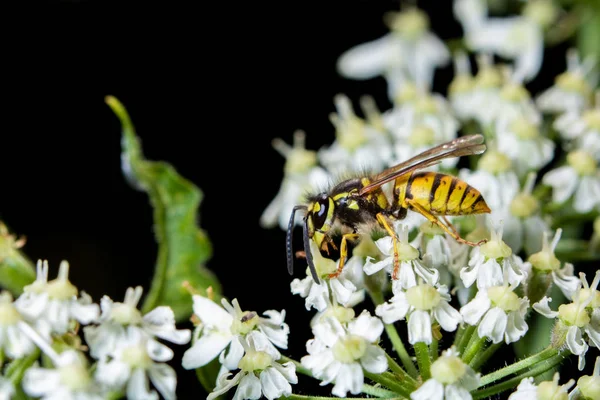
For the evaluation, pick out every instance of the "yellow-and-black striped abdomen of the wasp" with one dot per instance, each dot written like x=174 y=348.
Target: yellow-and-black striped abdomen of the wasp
x=440 y=194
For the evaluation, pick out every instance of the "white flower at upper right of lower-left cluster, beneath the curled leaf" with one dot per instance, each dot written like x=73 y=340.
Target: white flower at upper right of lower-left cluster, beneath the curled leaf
x=116 y=317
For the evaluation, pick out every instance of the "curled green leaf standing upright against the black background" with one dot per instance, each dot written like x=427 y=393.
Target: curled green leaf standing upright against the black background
x=183 y=247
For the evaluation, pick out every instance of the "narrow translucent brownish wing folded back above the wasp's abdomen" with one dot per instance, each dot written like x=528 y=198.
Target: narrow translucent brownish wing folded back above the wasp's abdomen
x=463 y=146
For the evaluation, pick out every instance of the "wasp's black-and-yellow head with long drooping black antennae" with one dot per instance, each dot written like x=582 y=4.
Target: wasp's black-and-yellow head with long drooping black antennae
x=317 y=223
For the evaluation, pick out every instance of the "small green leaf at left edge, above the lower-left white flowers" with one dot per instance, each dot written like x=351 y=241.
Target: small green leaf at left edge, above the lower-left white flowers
x=16 y=270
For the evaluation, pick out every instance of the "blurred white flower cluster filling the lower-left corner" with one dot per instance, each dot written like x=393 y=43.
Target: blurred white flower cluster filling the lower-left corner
x=124 y=345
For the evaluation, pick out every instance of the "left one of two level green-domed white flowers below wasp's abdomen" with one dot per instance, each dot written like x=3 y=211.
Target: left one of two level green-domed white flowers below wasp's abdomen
x=422 y=306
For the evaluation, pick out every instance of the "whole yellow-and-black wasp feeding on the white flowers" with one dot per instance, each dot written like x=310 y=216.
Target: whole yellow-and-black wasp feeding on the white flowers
x=360 y=203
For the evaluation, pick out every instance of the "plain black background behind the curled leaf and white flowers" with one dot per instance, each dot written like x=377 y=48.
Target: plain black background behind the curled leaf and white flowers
x=208 y=87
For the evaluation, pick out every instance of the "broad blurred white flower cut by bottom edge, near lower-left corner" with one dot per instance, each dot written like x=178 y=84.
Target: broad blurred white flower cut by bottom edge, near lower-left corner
x=70 y=379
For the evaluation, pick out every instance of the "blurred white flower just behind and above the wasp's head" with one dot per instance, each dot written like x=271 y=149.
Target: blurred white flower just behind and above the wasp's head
x=301 y=173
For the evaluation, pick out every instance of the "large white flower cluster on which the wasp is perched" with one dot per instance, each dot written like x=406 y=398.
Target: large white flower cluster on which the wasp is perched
x=482 y=296
